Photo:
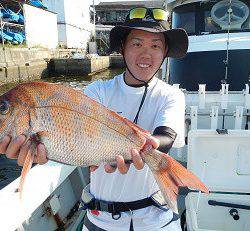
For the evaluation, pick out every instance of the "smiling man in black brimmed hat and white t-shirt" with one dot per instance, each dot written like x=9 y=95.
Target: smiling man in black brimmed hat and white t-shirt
x=144 y=41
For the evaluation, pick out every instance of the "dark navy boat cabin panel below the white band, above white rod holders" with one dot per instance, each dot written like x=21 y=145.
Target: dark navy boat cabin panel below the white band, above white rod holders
x=209 y=68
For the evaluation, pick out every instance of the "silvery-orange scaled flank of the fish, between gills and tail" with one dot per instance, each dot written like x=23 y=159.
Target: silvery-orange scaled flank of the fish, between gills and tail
x=70 y=122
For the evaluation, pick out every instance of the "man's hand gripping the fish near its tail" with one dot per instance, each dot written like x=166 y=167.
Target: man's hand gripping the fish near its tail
x=136 y=156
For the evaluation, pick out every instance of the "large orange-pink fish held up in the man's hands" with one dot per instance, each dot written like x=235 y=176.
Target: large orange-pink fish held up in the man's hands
x=76 y=130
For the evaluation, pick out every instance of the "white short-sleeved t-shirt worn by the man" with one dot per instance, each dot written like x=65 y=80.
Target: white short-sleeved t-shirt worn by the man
x=164 y=105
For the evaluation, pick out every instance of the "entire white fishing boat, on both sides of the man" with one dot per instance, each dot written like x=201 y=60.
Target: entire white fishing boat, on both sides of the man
x=215 y=79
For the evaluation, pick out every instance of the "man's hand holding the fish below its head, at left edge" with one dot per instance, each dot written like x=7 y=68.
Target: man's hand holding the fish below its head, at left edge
x=17 y=149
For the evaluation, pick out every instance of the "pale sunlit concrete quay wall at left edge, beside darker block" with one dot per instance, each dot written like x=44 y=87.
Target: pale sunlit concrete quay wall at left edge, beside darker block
x=24 y=64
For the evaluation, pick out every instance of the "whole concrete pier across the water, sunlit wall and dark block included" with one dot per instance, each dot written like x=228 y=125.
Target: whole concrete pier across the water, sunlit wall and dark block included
x=24 y=64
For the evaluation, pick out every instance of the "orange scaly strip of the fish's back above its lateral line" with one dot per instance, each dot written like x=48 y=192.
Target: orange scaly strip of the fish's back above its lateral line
x=75 y=100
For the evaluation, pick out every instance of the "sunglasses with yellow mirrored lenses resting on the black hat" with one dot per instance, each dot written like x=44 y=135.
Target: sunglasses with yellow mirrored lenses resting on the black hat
x=157 y=14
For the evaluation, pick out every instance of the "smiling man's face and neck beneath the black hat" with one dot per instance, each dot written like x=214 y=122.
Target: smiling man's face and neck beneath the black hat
x=144 y=52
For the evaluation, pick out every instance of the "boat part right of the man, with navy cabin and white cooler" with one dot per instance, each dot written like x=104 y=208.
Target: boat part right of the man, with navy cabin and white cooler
x=214 y=77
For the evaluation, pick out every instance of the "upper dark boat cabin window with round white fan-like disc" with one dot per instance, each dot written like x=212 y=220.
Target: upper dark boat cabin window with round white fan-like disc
x=212 y=17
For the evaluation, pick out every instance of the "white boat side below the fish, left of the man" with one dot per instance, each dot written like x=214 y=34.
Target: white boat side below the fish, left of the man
x=50 y=199
